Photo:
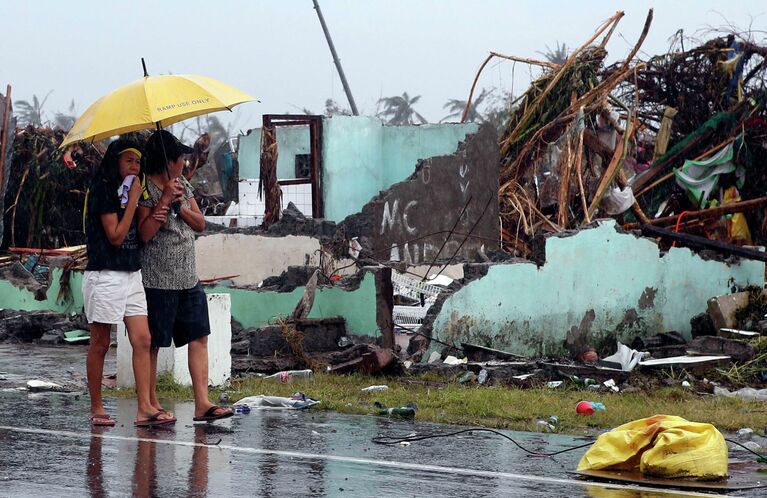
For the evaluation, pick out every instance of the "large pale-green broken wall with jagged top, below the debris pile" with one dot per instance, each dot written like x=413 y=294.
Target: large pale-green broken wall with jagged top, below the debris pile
x=631 y=289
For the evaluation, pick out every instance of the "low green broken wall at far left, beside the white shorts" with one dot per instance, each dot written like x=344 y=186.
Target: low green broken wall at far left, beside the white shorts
x=16 y=298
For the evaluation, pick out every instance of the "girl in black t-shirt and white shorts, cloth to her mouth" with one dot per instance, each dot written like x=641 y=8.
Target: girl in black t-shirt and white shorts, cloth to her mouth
x=112 y=284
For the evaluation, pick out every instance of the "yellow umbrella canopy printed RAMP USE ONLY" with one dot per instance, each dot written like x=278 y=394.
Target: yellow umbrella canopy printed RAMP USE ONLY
x=151 y=101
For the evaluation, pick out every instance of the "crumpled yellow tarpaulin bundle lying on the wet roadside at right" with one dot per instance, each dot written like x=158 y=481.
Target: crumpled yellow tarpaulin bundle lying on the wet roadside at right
x=662 y=446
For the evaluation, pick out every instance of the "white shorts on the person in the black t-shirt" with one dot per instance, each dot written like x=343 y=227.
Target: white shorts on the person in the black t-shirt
x=109 y=296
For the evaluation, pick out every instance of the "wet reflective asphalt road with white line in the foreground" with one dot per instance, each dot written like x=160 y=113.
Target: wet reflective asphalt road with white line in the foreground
x=47 y=448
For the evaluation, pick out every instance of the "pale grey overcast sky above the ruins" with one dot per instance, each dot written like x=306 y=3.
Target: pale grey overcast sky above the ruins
x=275 y=49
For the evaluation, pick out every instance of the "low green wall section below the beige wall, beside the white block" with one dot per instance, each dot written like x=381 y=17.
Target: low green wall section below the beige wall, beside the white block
x=254 y=308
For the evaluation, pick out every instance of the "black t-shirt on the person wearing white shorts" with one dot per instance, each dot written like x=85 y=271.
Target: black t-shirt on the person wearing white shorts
x=102 y=255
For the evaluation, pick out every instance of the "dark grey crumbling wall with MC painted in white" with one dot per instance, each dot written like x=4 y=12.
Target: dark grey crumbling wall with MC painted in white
x=411 y=220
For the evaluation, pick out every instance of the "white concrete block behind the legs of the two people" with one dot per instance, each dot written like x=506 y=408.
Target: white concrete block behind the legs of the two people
x=174 y=359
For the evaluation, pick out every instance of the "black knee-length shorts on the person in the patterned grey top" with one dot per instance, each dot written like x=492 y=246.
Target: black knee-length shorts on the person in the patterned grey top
x=181 y=315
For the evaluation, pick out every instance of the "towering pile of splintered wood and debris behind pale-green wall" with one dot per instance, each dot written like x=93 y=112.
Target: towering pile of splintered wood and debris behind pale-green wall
x=589 y=140
